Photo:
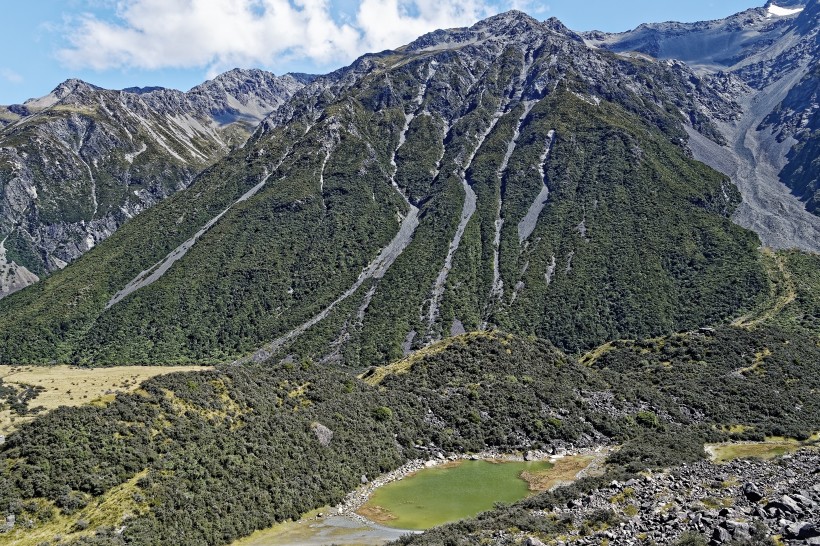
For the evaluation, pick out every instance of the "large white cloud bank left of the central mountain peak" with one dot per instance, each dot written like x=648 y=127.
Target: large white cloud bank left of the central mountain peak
x=218 y=34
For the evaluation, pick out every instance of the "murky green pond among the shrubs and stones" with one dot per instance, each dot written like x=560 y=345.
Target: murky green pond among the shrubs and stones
x=451 y=492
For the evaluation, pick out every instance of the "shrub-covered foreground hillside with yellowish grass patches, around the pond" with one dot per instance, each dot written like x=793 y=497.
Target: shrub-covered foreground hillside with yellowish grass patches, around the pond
x=210 y=456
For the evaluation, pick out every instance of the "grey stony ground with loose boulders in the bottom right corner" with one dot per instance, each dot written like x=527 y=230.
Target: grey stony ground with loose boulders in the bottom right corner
x=740 y=502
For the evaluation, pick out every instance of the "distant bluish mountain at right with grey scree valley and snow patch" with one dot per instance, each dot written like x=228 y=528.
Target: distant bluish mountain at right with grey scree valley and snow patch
x=765 y=60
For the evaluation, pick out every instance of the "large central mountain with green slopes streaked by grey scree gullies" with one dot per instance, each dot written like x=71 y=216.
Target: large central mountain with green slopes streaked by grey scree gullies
x=474 y=178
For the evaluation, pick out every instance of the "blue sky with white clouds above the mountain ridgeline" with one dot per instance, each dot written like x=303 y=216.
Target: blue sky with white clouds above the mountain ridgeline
x=180 y=43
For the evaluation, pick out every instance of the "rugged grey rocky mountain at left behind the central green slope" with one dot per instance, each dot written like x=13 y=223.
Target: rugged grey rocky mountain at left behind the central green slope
x=77 y=163
